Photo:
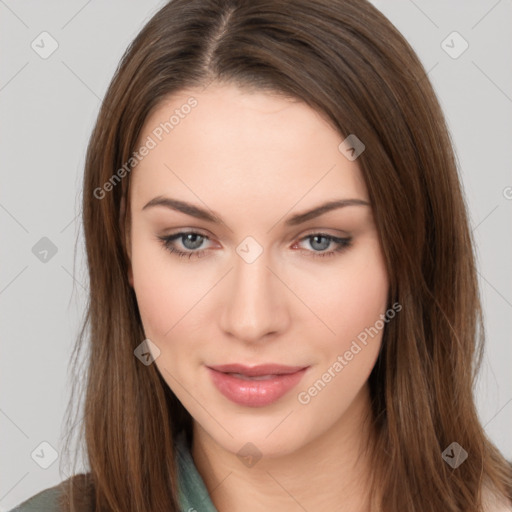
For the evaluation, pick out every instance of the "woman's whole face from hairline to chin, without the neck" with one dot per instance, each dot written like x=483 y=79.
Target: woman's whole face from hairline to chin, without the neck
x=229 y=268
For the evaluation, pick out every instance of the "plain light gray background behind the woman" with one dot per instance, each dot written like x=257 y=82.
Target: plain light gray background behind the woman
x=48 y=107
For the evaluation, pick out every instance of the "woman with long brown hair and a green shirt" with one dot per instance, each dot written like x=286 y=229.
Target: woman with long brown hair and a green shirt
x=284 y=304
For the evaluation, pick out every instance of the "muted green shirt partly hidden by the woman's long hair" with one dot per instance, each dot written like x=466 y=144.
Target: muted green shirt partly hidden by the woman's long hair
x=193 y=495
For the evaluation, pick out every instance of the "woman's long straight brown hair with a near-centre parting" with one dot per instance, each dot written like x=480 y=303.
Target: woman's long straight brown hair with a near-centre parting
x=347 y=61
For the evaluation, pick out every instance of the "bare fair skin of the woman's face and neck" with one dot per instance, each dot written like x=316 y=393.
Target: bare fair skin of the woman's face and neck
x=256 y=159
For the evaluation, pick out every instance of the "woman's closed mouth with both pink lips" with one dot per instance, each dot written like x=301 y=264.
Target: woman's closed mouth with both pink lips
x=255 y=386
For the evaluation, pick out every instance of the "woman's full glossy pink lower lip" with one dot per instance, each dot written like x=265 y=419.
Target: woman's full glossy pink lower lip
x=255 y=393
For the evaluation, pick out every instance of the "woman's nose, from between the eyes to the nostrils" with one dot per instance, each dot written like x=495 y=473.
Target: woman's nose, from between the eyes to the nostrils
x=254 y=304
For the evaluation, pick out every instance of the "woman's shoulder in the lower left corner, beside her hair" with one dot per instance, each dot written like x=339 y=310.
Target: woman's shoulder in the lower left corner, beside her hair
x=56 y=498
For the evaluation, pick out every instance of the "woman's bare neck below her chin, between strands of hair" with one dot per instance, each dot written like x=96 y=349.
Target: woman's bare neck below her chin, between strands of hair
x=329 y=473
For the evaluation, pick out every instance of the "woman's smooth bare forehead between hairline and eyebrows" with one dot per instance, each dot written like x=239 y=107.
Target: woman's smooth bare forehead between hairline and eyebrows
x=246 y=146
